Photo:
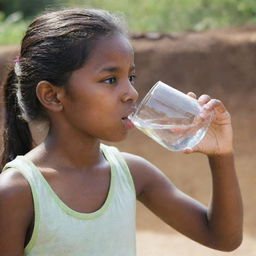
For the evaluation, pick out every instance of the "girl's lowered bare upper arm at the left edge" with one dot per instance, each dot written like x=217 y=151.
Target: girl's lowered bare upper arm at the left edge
x=16 y=212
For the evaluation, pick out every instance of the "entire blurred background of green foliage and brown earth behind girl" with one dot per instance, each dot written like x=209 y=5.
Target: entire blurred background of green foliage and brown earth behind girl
x=203 y=46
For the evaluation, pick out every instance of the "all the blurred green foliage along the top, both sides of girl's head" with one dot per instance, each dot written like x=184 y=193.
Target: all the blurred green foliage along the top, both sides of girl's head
x=141 y=15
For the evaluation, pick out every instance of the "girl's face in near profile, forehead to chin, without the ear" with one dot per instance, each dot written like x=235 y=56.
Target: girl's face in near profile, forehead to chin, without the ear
x=100 y=95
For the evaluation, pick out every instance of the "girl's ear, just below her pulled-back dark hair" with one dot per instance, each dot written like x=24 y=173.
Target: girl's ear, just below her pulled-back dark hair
x=50 y=96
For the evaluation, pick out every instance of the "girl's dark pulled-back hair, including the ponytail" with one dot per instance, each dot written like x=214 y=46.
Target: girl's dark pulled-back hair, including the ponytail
x=55 y=44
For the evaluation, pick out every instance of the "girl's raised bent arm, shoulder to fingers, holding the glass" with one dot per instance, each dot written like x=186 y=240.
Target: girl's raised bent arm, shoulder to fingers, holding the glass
x=218 y=226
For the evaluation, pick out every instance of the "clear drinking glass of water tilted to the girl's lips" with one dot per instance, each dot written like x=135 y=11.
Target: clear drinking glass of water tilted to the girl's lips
x=171 y=118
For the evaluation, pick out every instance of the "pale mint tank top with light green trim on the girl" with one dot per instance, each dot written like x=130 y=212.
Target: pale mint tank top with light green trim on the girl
x=61 y=231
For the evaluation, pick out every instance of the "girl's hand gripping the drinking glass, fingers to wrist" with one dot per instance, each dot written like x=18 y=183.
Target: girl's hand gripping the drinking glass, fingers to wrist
x=219 y=137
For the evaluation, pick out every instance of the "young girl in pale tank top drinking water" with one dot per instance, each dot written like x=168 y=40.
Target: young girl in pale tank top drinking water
x=72 y=195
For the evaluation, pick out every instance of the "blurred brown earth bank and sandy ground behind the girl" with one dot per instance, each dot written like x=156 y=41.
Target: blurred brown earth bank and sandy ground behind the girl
x=221 y=63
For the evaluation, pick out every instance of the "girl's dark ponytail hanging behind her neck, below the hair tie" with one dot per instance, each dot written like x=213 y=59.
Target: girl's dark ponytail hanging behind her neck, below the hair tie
x=17 y=136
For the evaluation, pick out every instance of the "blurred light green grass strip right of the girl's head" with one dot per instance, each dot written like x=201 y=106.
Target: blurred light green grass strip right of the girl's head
x=177 y=15
